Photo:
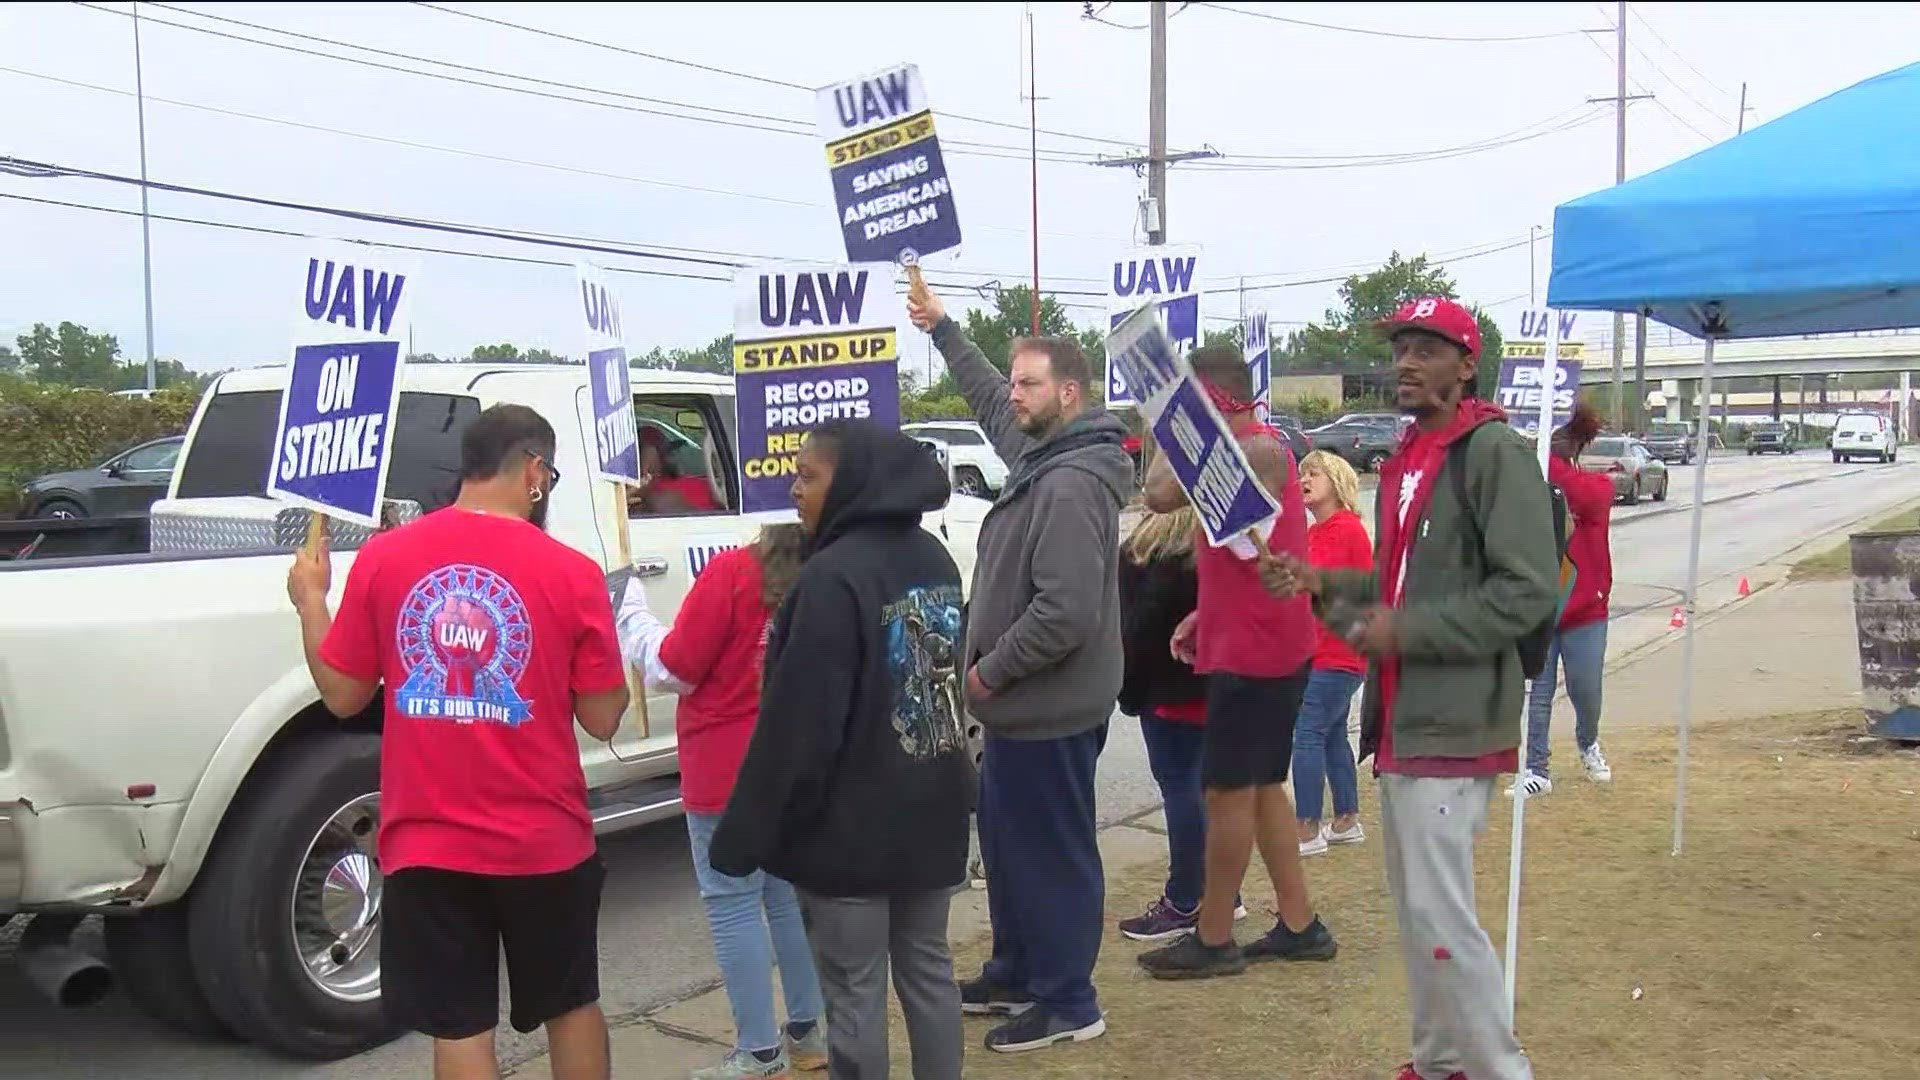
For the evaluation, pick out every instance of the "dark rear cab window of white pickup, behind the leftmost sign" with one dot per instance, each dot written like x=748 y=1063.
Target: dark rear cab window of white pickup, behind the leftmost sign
x=235 y=439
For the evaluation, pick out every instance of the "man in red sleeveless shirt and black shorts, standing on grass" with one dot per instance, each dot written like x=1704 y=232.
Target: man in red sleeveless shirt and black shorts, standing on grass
x=1257 y=654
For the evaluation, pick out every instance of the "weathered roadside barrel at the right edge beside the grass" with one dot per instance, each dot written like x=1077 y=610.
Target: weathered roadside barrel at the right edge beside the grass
x=1886 y=616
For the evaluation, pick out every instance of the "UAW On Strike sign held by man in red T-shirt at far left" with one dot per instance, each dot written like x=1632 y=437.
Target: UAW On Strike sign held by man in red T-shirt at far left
x=337 y=416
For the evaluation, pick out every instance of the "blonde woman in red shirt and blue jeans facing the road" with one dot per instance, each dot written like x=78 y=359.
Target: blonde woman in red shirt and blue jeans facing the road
x=1324 y=754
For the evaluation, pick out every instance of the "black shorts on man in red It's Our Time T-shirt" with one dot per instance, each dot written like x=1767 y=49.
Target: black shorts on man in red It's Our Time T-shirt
x=443 y=935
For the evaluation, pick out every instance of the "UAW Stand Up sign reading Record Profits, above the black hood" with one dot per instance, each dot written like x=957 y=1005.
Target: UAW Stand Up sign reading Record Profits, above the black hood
x=811 y=345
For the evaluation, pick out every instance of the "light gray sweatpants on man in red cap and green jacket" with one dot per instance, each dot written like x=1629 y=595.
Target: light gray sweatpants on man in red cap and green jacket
x=1454 y=975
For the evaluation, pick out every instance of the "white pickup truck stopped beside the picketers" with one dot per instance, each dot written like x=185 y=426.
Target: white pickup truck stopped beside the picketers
x=166 y=760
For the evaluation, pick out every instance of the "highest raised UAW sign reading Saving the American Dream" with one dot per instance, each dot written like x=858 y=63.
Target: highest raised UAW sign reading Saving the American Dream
x=890 y=180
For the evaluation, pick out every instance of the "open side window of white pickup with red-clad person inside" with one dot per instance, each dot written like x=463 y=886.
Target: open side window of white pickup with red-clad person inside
x=696 y=464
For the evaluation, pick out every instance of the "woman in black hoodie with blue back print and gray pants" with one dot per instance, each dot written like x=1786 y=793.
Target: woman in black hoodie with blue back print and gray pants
x=857 y=779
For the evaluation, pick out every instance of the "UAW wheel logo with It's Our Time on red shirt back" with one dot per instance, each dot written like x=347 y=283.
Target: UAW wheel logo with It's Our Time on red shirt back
x=464 y=639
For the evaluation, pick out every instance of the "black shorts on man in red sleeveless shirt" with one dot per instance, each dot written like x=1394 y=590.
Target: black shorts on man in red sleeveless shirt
x=1251 y=729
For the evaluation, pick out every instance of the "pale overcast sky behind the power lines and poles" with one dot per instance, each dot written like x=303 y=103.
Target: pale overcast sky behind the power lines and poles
x=742 y=184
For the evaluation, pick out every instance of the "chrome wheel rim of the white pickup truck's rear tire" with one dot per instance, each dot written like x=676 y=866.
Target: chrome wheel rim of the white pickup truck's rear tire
x=337 y=904
